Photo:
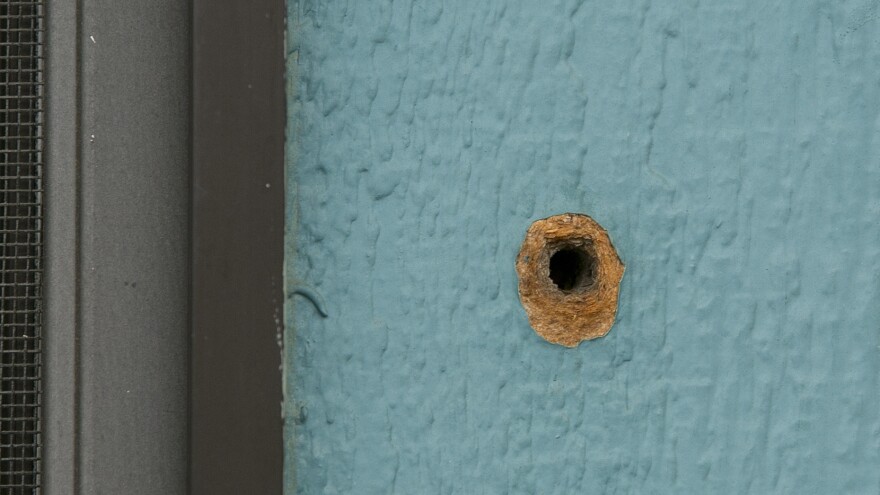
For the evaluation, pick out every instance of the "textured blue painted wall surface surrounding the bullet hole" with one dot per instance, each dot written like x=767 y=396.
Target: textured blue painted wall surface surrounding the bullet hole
x=730 y=148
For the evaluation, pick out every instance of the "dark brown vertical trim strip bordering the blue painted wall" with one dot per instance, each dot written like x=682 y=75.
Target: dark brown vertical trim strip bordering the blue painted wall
x=238 y=233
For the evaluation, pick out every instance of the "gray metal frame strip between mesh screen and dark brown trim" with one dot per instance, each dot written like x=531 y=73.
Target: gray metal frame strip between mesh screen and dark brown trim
x=116 y=322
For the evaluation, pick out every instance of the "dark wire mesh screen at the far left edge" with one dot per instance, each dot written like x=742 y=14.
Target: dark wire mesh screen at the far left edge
x=21 y=171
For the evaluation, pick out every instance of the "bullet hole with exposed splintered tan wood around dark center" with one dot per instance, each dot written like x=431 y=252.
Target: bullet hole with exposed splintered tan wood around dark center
x=569 y=278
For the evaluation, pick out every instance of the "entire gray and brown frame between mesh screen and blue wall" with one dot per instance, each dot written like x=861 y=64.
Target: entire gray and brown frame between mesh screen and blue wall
x=163 y=246
